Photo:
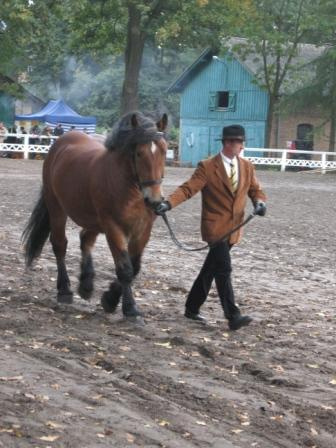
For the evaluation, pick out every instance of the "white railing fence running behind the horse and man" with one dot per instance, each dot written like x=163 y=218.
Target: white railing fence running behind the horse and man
x=282 y=158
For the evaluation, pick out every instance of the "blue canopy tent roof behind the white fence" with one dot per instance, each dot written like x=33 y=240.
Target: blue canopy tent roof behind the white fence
x=57 y=111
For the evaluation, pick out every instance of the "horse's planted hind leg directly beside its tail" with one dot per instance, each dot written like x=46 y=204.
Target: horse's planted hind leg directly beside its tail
x=59 y=244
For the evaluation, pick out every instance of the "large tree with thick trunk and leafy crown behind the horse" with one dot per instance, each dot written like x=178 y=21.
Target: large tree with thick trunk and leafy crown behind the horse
x=123 y=26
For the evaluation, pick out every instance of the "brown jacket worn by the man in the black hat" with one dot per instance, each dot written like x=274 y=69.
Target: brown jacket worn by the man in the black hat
x=221 y=209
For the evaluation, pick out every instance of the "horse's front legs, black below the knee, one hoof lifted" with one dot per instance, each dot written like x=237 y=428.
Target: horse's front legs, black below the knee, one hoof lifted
x=125 y=274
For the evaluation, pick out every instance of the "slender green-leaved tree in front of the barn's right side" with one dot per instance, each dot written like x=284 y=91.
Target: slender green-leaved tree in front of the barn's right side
x=273 y=33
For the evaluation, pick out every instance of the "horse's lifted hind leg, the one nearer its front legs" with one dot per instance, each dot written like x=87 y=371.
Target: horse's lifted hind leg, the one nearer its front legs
x=87 y=240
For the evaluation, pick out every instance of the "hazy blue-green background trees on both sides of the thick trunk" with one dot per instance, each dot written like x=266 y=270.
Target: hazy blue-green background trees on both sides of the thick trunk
x=95 y=89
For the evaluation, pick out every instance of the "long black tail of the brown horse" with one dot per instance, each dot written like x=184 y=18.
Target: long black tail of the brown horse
x=36 y=231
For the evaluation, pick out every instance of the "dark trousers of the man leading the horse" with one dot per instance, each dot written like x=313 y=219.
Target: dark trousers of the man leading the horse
x=217 y=265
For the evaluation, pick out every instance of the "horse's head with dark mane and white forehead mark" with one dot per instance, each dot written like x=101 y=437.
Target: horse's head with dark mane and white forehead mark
x=144 y=139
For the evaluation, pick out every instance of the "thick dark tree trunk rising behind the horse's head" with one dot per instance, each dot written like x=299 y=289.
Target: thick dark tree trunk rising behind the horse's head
x=133 y=57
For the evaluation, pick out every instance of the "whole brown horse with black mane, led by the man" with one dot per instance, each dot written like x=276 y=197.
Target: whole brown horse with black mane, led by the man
x=104 y=189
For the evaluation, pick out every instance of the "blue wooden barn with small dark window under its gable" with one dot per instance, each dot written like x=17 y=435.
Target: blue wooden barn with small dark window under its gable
x=217 y=92
